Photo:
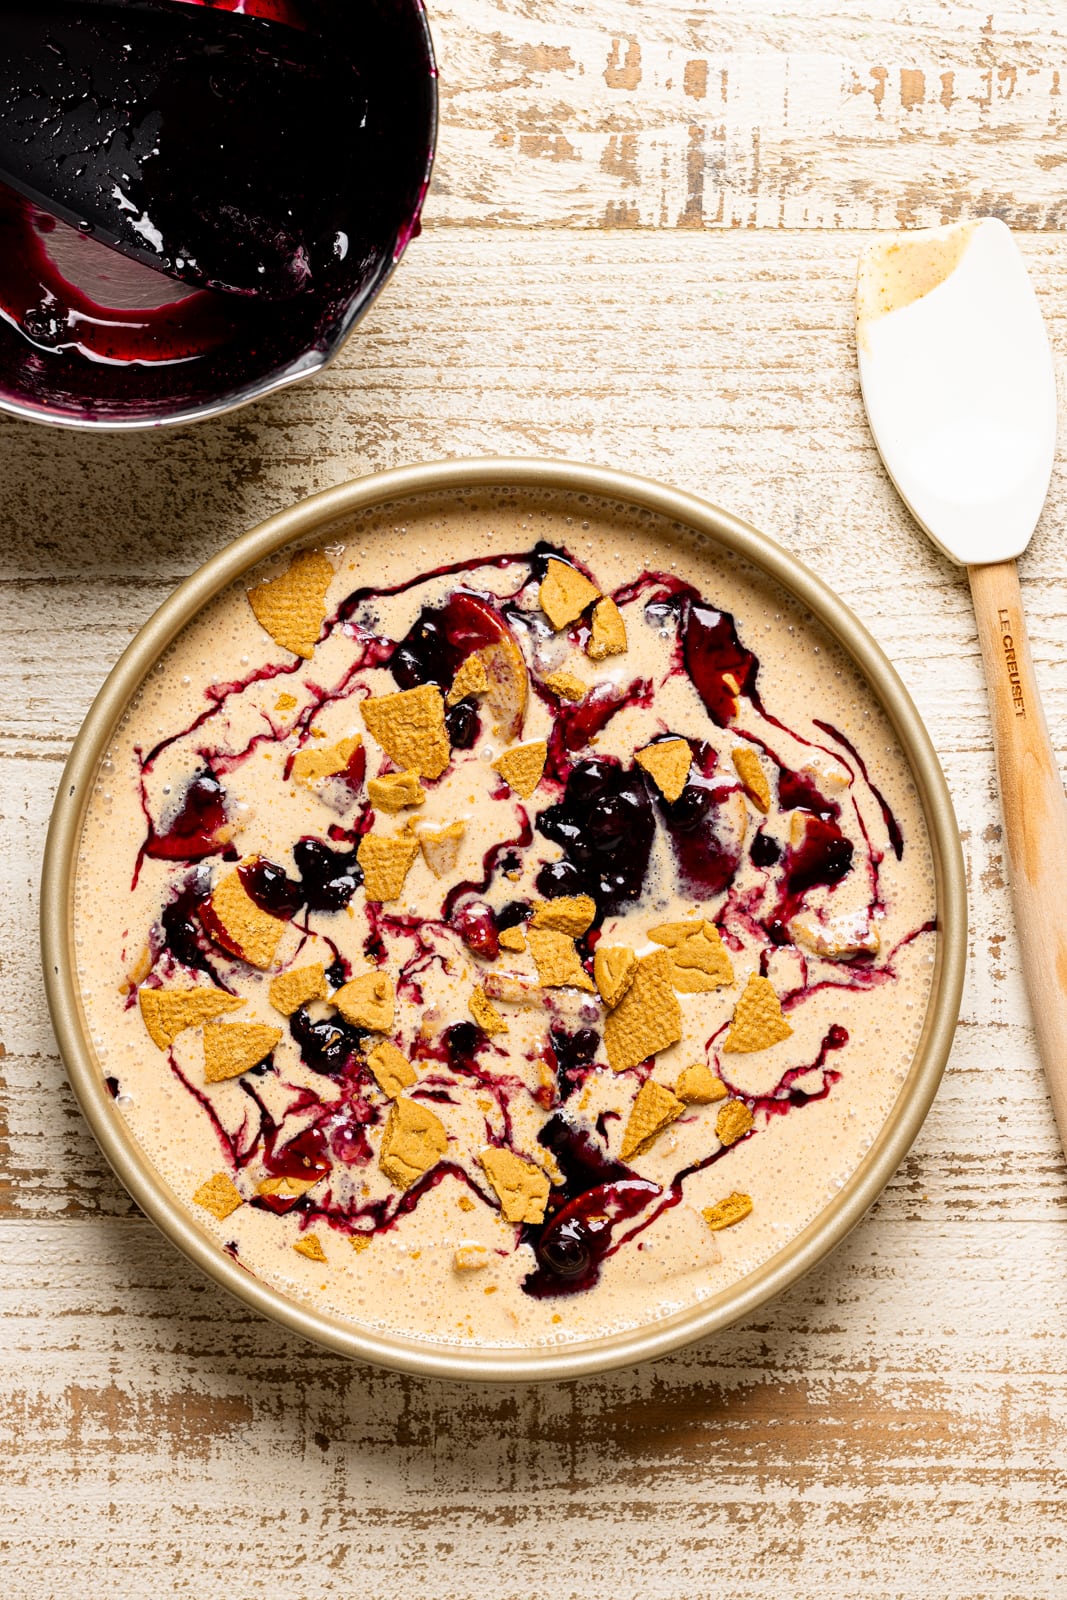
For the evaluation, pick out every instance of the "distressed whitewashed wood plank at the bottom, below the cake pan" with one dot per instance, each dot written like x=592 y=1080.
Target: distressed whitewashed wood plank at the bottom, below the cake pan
x=807 y=1446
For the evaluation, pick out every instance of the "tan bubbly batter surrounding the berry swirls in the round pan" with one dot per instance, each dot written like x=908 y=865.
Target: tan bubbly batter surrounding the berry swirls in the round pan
x=406 y=1278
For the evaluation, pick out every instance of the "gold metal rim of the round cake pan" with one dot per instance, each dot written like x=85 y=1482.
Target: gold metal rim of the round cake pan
x=314 y=519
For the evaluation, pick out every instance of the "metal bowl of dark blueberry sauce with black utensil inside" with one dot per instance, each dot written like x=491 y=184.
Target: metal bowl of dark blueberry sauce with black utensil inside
x=199 y=199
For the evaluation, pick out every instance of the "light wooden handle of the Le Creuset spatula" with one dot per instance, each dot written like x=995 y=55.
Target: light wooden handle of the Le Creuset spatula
x=1036 y=815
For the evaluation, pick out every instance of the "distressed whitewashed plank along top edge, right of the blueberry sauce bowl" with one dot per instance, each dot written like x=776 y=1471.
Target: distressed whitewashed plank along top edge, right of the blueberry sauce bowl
x=708 y=116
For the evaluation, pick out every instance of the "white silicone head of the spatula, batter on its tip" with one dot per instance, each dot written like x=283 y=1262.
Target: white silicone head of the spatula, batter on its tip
x=957 y=378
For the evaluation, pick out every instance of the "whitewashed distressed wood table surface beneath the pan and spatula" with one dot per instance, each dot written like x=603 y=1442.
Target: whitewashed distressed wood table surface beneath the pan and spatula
x=639 y=250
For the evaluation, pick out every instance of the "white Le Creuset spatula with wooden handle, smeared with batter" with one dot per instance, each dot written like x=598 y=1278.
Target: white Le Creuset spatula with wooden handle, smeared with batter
x=959 y=385
